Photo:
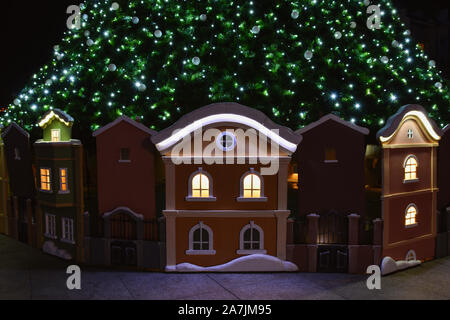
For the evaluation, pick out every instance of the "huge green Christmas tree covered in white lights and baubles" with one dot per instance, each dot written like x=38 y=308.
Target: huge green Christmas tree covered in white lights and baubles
x=293 y=60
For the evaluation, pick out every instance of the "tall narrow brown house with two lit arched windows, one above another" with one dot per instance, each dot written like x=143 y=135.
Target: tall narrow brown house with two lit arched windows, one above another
x=410 y=140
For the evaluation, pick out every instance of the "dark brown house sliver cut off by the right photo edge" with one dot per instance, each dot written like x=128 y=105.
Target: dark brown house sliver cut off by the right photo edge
x=444 y=171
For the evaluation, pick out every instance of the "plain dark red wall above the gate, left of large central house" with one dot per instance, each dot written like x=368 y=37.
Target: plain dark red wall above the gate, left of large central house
x=131 y=184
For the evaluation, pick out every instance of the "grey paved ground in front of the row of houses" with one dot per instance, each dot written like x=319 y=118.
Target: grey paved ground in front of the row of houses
x=26 y=273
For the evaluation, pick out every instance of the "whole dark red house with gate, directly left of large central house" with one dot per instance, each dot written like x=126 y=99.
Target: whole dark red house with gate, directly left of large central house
x=126 y=196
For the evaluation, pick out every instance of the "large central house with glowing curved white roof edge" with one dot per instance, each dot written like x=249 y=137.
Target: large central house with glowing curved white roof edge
x=226 y=190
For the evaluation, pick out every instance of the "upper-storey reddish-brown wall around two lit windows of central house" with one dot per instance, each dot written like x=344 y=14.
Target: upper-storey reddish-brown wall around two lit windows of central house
x=226 y=188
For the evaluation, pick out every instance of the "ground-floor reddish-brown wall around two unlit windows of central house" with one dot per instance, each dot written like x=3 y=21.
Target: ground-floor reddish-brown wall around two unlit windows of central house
x=226 y=233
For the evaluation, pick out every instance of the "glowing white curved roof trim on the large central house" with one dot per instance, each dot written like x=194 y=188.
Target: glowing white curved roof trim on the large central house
x=223 y=118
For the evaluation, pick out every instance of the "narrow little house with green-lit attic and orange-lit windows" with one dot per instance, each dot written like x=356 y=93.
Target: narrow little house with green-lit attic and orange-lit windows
x=59 y=166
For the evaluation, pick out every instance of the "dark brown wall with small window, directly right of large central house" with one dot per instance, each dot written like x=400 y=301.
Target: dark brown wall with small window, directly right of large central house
x=326 y=186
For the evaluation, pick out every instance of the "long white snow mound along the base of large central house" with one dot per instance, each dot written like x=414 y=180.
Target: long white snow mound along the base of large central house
x=250 y=263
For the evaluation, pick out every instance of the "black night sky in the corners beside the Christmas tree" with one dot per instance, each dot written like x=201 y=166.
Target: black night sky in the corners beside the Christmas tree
x=30 y=29
